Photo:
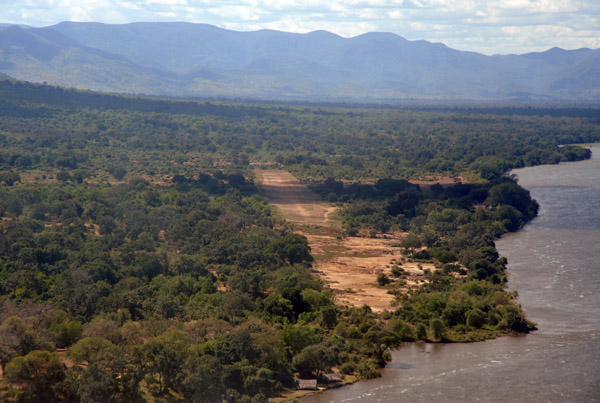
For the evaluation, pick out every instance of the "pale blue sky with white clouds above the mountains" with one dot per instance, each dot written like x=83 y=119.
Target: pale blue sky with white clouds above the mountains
x=486 y=26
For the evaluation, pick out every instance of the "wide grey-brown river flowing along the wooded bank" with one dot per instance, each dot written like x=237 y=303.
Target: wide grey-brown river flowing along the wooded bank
x=554 y=264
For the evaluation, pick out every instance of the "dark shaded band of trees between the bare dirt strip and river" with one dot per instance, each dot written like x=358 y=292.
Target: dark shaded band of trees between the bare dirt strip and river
x=400 y=205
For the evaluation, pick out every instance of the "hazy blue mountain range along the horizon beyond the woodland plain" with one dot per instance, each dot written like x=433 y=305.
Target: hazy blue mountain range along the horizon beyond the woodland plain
x=183 y=59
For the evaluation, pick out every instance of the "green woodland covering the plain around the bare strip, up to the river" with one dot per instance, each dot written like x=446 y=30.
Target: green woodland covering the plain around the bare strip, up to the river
x=139 y=262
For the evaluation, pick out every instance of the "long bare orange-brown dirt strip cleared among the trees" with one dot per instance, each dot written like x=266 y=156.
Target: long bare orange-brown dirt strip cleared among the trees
x=349 y=265
